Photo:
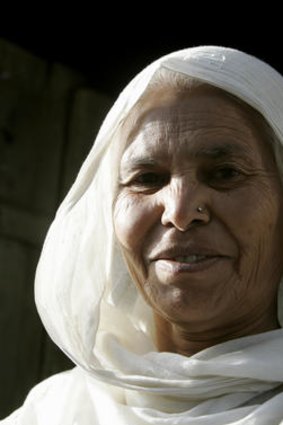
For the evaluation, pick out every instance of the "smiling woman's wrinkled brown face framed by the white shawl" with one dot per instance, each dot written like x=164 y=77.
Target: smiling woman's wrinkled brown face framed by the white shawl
x=220 y=266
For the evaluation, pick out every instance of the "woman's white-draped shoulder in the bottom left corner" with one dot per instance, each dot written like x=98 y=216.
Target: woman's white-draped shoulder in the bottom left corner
x=50 y=400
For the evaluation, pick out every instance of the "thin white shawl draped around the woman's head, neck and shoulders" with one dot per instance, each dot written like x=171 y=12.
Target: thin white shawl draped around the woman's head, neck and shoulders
x=93 y=312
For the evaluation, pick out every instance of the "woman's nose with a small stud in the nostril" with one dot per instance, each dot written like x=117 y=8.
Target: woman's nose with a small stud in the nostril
x=184 y=206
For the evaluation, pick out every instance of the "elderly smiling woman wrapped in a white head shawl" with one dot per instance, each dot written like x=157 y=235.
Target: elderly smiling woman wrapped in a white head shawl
x=160 y=276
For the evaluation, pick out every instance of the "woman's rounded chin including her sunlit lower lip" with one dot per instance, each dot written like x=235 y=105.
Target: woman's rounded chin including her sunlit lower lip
x=190 y=294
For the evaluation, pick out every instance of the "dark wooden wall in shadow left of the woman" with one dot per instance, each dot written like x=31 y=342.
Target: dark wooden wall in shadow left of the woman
x=49 y=116
